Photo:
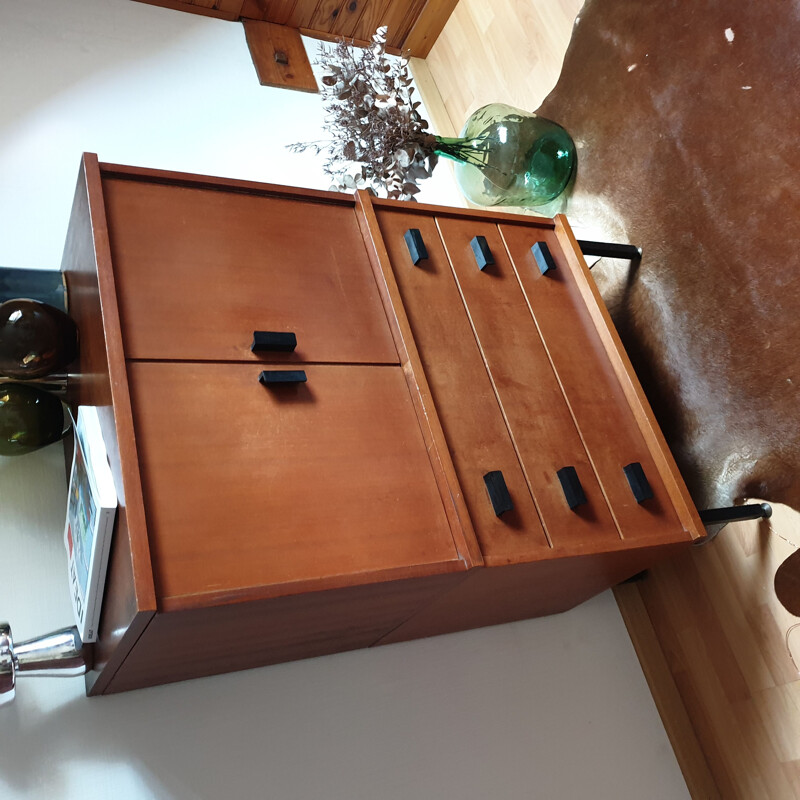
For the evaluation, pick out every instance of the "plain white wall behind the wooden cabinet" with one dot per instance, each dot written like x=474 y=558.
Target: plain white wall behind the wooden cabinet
x=551 y=708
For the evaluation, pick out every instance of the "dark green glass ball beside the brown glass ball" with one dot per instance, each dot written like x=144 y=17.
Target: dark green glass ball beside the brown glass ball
x=30 y=418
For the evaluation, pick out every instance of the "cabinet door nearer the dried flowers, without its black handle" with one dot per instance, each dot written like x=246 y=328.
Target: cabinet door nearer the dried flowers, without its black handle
x=198 y=270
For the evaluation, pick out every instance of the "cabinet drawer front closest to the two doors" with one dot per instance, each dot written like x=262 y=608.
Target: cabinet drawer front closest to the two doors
x=462 y=391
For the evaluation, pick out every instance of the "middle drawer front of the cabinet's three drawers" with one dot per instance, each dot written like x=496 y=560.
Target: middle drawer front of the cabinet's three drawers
x=541 y=425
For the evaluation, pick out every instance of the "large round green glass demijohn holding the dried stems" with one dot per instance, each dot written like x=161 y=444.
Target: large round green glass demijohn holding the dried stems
x=509 y=157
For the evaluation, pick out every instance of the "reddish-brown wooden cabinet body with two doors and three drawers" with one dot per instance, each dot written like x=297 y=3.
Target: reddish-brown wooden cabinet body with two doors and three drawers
x=444 y=437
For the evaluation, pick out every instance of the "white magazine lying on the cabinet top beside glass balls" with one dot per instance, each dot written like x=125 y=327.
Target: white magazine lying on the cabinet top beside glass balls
x=91 y=508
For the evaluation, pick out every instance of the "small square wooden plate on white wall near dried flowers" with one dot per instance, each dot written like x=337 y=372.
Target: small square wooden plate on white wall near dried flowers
x=269 y=45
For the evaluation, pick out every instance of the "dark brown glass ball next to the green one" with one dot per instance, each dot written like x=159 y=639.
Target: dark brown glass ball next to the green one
x=36 y=339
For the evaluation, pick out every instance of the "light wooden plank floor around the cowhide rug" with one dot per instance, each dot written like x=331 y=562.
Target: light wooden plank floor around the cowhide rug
x=720 y=653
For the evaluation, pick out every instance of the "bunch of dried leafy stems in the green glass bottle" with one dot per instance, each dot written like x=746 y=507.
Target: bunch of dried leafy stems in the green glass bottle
x=378 y=137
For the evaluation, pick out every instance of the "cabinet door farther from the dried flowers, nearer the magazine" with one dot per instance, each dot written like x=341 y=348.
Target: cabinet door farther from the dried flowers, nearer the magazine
x=248 y=486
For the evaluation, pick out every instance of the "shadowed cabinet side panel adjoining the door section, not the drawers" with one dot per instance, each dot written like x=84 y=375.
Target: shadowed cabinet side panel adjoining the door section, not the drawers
x=192 y=644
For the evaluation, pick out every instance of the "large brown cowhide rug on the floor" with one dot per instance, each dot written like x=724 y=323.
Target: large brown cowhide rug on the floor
x=687 y=120
